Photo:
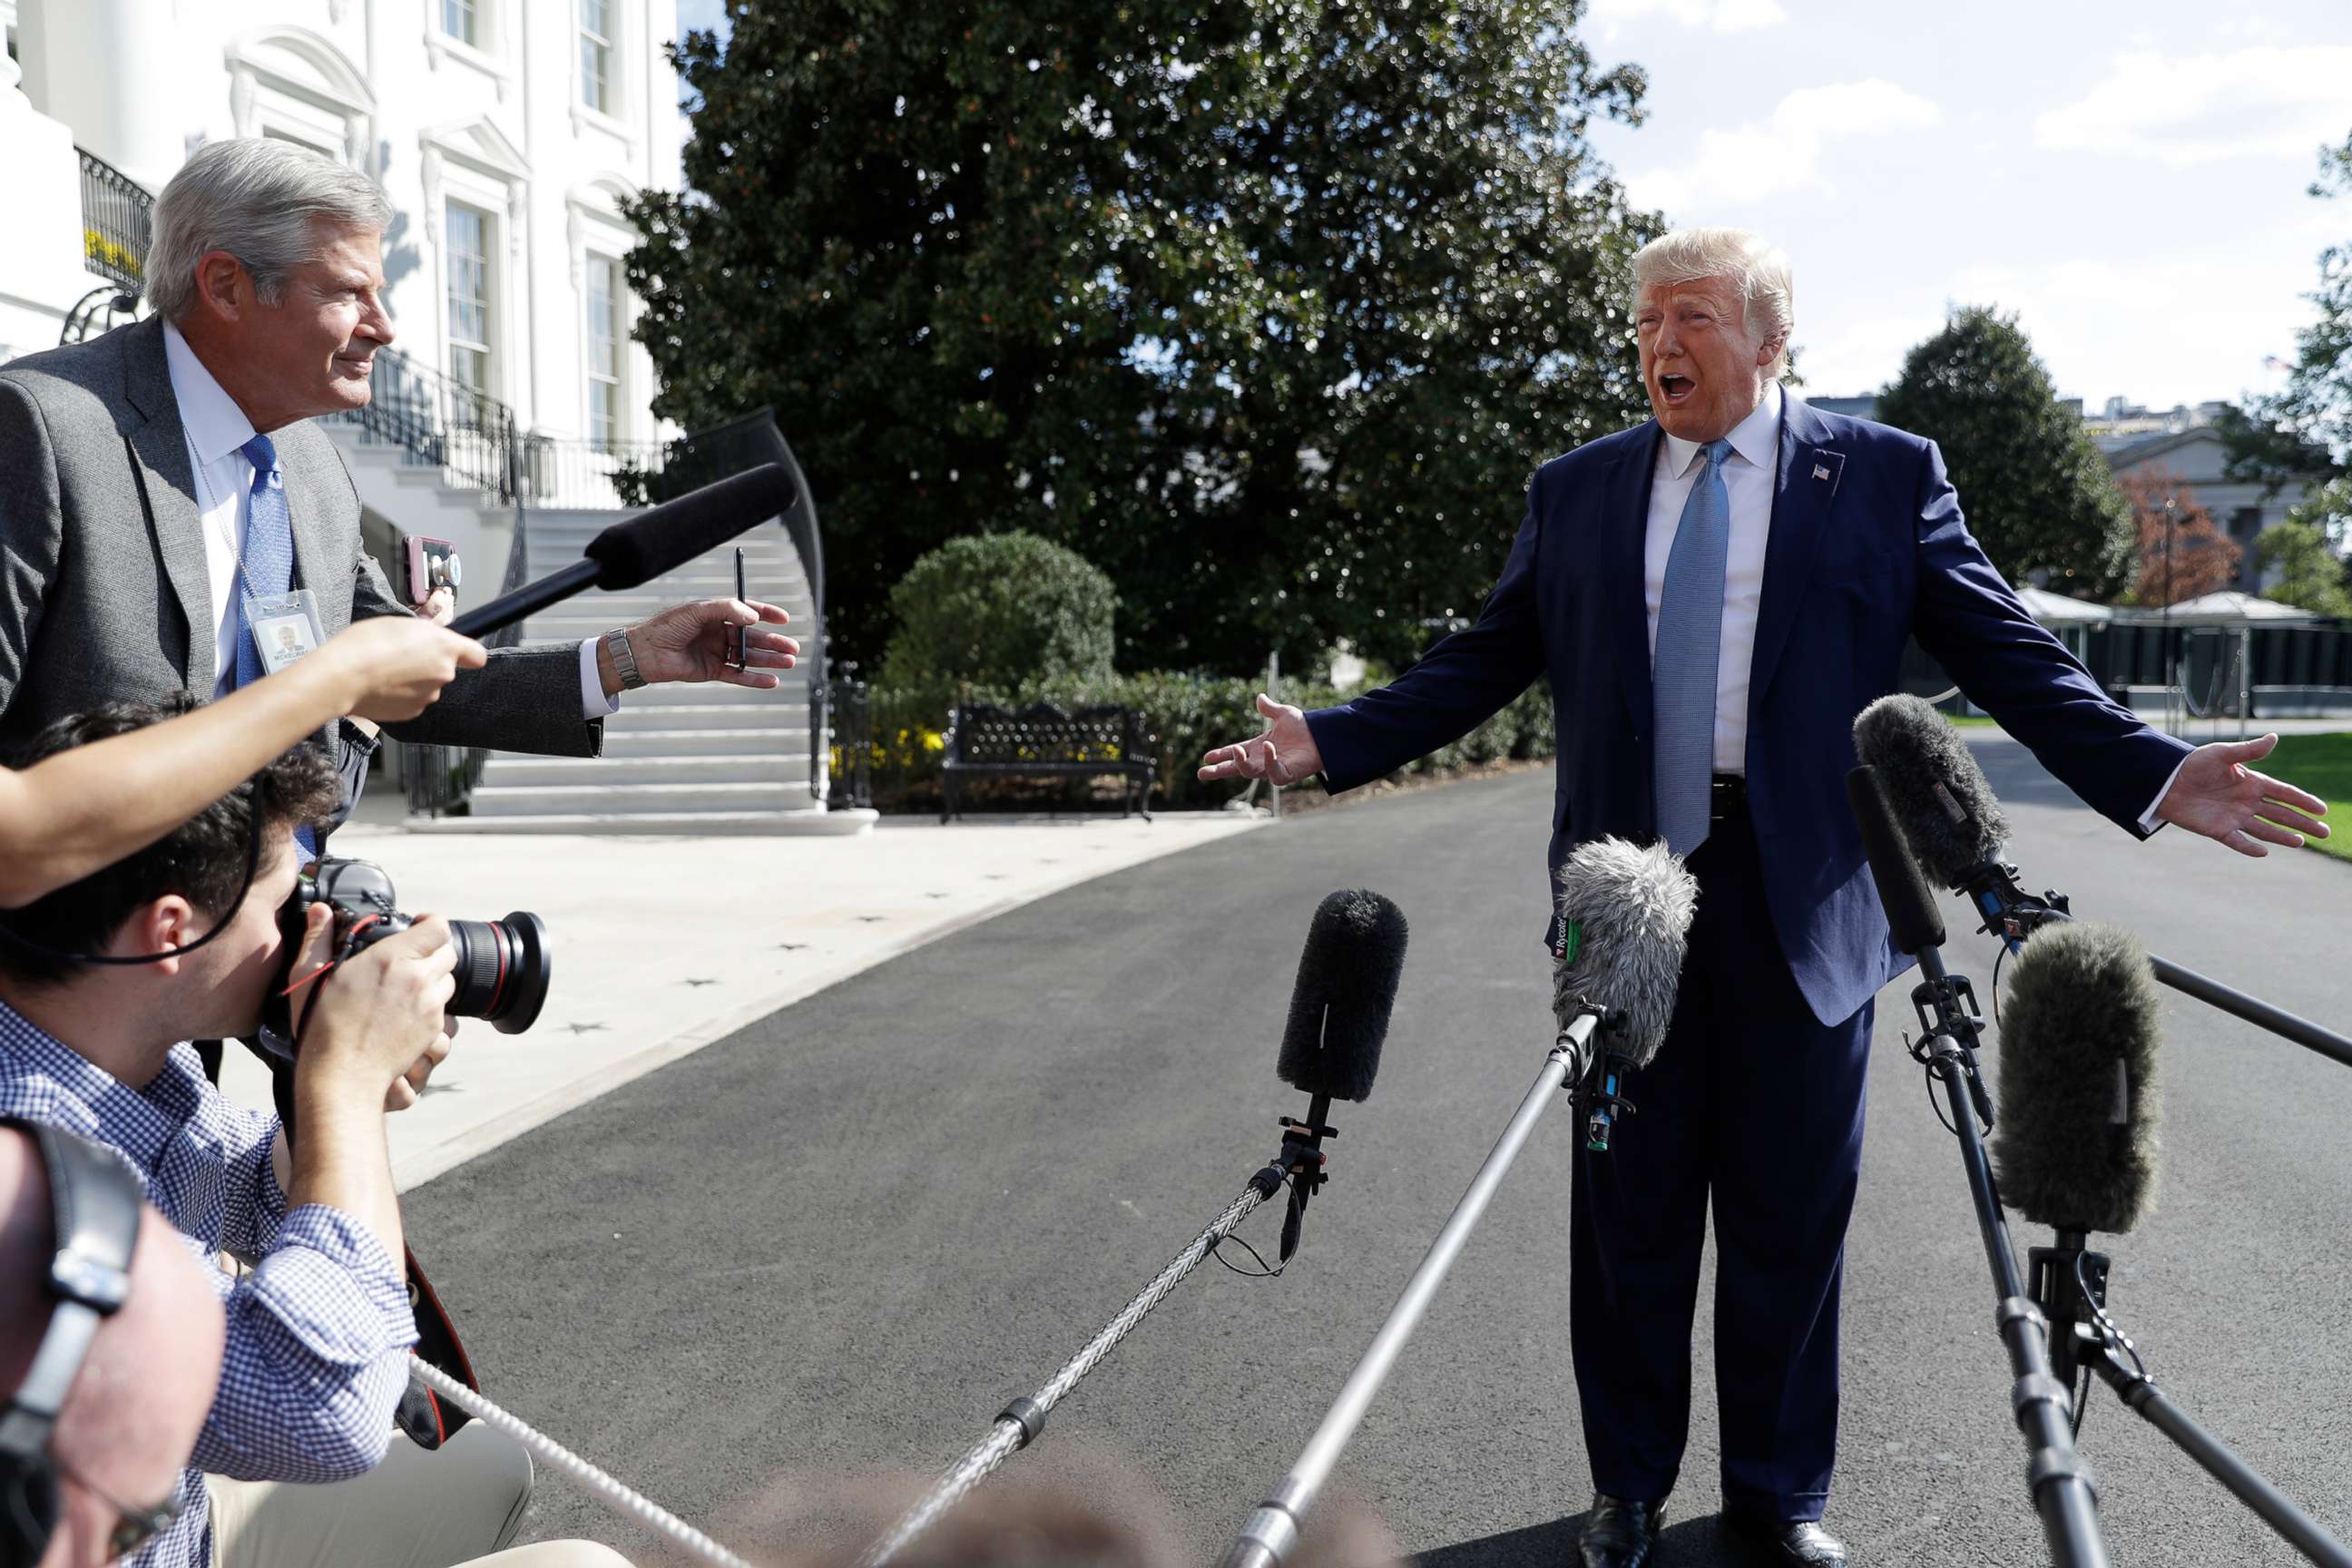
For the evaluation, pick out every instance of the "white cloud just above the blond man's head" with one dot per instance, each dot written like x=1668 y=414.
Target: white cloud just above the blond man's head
x=1782 y=152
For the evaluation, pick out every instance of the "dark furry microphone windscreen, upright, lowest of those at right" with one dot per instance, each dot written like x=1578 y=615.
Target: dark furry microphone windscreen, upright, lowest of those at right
x=2076 y=1144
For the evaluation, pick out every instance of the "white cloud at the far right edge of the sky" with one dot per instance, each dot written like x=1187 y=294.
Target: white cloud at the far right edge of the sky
x=2264 y=102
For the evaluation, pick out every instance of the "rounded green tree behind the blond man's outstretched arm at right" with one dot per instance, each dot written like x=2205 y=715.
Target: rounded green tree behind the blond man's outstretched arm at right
x=2036 y=490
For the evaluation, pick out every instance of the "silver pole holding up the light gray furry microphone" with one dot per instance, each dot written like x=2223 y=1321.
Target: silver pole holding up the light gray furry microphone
x=1274 y=1529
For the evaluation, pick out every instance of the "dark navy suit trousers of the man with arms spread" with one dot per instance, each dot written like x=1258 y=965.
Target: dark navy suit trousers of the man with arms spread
x=1756 y=1106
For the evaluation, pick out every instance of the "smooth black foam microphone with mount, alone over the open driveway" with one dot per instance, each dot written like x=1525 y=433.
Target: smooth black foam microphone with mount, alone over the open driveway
x=1332 y=1040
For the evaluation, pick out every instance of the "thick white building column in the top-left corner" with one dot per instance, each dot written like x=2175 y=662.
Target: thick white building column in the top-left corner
x=112 y=72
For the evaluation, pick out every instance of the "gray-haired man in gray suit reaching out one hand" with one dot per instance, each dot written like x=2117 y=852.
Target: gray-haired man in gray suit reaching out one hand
x=163 y=488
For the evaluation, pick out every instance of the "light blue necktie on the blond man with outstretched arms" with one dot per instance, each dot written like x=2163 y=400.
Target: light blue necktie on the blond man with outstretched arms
x=1690 y=648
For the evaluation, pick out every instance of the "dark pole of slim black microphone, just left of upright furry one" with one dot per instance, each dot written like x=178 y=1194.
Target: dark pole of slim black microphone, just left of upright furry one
x=2045 y=1407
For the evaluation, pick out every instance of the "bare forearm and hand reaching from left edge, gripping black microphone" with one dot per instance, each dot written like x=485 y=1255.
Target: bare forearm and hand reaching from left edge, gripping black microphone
x=93 y=805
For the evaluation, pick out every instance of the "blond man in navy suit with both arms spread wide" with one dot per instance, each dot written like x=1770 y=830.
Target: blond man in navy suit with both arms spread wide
x=1716 y=596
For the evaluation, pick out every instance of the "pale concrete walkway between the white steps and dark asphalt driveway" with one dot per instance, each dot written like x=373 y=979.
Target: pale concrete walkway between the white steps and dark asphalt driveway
x=669 y=944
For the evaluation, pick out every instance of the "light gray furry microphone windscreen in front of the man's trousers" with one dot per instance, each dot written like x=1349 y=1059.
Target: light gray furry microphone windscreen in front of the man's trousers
x=1626 y=920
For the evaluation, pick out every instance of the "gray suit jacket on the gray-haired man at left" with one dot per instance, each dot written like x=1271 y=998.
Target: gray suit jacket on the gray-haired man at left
x=105 y=591
